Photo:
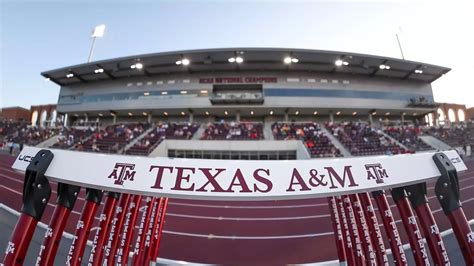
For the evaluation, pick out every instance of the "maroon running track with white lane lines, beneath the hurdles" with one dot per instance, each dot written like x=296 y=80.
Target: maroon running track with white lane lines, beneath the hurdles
x=270 y=232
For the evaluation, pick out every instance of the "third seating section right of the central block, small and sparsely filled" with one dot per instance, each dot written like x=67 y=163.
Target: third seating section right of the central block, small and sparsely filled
x=408 y=136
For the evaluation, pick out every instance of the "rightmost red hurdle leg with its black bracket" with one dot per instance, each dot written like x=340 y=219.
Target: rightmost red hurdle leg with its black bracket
x=447 y=192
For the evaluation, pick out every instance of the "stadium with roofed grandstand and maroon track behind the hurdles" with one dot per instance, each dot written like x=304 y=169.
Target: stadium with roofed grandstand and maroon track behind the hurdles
x=264 y=104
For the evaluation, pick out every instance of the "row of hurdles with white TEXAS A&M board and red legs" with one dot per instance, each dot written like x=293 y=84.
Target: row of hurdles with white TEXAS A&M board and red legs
x=134 y=185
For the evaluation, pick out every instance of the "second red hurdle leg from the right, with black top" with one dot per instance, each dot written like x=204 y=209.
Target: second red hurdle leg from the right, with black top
x=417 y=195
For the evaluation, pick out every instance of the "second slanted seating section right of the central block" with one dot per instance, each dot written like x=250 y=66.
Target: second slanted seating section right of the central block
x=362 y=140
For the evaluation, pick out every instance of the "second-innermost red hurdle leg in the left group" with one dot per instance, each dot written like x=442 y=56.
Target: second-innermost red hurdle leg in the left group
x=143 y=230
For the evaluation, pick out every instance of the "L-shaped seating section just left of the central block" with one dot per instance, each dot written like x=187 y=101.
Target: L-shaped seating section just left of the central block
x=162 y=131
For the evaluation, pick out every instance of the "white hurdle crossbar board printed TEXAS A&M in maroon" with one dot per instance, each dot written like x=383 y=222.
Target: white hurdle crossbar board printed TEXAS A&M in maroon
x=237 y=180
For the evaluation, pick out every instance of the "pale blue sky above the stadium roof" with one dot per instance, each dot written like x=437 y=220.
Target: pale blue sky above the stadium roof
x=43 y=35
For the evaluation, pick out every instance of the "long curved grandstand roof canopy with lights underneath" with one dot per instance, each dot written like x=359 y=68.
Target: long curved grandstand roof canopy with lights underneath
x=255 y=59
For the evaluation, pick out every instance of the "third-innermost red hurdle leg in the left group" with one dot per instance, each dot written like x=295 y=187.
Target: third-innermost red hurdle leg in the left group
x=128 y=229
